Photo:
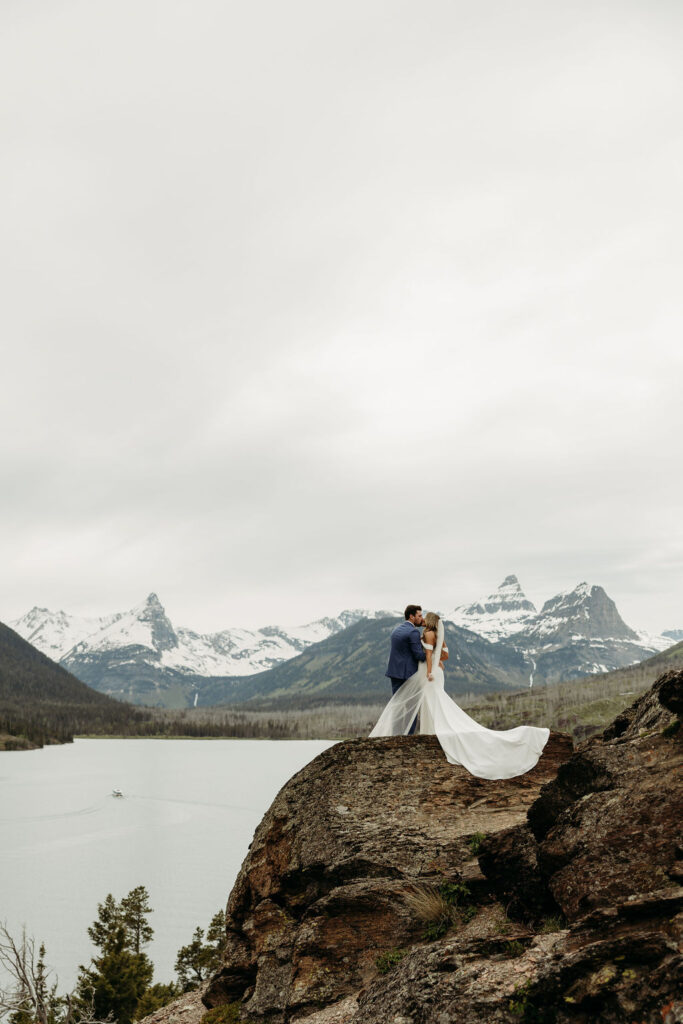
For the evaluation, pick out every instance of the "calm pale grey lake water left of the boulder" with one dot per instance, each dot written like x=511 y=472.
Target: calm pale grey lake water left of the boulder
x=183 y=830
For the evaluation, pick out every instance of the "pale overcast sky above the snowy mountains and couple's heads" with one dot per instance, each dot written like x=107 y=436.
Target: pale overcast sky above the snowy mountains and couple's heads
x=314 y=306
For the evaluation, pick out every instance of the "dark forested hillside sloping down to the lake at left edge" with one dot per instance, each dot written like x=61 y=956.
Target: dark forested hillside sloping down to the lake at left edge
x=41 y=703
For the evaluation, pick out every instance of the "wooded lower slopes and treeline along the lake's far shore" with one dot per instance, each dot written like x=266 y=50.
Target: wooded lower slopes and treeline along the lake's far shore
x=41 y=703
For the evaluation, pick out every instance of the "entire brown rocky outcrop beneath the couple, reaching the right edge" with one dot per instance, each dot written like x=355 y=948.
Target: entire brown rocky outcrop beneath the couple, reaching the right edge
x=385 y=885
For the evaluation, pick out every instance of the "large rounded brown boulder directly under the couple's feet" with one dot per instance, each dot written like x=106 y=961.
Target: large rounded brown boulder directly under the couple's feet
x=323 y=891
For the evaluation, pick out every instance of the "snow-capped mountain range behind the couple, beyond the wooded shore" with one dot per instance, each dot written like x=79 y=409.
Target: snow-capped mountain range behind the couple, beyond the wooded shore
x=498 y=643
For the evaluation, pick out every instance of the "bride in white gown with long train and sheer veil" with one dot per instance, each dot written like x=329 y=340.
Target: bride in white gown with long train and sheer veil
x=486 y=753
